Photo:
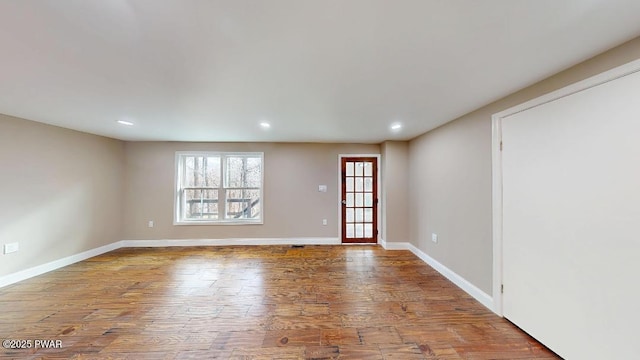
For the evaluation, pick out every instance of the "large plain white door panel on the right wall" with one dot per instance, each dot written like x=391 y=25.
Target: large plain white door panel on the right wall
x=571 y=221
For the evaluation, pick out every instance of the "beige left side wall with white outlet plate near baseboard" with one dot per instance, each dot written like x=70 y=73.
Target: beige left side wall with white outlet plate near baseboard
x=60 y=191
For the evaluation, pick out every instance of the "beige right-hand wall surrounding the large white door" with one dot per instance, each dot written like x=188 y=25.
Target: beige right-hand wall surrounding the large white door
x=450 y=176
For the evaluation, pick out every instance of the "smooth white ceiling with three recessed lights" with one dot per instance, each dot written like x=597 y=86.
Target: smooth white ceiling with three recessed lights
x=317 y=70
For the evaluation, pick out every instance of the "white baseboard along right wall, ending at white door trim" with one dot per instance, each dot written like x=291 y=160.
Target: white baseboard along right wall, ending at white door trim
x=461 y=282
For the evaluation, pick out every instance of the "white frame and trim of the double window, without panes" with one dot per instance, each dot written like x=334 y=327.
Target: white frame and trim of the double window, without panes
x=178 y=210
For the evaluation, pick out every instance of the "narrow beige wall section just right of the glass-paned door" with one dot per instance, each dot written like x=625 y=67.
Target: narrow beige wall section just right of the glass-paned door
x=395 y=191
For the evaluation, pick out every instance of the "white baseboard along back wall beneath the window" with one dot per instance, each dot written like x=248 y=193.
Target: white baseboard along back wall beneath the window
x=228 y=242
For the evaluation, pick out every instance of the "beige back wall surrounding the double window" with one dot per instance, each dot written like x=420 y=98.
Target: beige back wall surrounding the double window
x=293 y=207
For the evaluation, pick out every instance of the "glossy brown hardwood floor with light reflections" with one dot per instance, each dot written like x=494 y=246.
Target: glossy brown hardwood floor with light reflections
x=275 y=302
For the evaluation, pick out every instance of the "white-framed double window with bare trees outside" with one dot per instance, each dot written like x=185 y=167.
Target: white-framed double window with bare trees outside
x=218 y=188
